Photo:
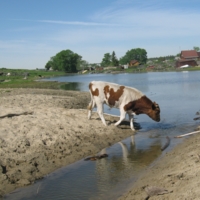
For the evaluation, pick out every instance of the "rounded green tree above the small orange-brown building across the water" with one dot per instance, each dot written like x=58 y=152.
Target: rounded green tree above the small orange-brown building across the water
x=134 y=54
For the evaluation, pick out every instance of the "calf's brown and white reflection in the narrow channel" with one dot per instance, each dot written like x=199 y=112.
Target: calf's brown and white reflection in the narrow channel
x=123 y=165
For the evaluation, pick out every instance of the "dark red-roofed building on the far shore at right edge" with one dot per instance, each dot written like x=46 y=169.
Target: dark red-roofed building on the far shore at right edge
x=188 y=57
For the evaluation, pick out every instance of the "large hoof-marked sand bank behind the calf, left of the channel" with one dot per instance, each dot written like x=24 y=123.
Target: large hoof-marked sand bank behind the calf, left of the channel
x=49 y=129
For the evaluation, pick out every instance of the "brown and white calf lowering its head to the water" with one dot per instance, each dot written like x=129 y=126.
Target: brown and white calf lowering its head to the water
x=128 y=100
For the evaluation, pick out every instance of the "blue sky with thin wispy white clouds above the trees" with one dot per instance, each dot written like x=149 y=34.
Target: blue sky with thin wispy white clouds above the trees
x=32 y=31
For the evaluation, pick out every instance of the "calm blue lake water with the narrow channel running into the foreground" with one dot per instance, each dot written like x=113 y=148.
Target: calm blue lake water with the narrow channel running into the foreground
x=178 y=95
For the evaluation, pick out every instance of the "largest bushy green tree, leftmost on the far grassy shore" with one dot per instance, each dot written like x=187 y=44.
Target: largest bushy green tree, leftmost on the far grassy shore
x=65 y=60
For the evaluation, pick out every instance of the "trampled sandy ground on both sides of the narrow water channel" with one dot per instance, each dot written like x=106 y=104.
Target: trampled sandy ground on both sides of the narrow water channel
x=43 y=130
